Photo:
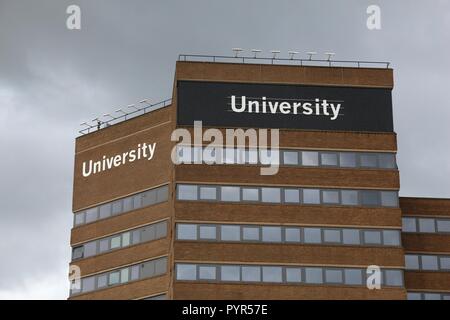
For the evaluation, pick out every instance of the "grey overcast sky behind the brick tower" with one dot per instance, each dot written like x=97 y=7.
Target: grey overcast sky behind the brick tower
x=52 y=79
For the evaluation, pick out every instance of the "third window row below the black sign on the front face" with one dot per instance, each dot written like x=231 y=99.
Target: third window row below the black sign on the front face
x=278 y=234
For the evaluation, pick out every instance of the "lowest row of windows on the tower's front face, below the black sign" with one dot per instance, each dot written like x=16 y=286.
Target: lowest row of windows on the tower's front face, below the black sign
x=283 y=274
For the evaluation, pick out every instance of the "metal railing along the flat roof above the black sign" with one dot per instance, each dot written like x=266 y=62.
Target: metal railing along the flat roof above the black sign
x=288 y=61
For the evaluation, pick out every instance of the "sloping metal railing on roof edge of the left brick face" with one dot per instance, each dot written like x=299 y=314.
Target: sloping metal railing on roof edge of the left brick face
x=101 y=124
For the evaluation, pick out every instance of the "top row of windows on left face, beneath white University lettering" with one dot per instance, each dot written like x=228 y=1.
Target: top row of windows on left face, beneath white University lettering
x=136 y=201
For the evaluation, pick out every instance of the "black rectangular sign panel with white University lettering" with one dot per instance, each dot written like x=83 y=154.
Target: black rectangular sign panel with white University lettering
x=220 y=104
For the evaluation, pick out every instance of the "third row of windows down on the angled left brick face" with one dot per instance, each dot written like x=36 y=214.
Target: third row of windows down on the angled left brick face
x=143 y=270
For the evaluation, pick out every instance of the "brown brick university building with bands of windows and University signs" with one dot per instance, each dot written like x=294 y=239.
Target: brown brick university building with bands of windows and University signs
x=148 y=228
